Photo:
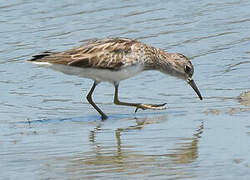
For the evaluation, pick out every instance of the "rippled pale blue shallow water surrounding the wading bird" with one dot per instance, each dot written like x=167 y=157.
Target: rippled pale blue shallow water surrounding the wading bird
x=49 y=131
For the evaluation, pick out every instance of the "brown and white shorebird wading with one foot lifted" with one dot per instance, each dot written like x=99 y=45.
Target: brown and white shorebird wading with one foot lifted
x=116 y=59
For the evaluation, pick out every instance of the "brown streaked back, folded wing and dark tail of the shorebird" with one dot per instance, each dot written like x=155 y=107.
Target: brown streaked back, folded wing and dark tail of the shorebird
x=108 y=53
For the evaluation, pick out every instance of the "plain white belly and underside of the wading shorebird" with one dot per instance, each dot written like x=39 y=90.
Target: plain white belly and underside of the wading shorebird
x=97 y=74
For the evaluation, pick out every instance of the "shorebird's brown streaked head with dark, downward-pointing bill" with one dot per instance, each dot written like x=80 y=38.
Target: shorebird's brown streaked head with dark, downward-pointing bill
x=179 y=66
